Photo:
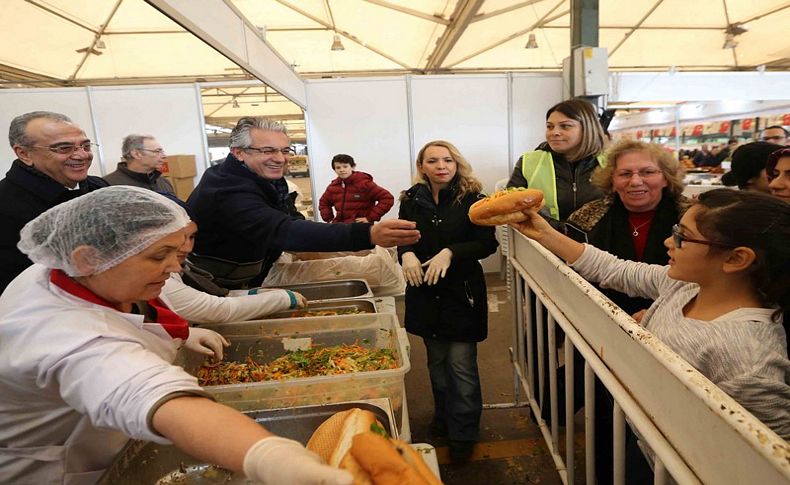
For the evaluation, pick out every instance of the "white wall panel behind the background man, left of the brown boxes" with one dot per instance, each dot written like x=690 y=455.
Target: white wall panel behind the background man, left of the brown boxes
x=170 y=113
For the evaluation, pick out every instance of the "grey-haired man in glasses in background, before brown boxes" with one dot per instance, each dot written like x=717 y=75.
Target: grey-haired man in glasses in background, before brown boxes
x=143 y=158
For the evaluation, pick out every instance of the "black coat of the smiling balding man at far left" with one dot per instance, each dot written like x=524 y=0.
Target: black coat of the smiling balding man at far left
x=25 y=193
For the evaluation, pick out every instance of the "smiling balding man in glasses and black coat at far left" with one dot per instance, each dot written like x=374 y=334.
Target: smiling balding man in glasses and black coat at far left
x=53 y=158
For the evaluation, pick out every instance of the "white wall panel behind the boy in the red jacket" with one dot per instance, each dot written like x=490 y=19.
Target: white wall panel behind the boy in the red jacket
x=364 y=118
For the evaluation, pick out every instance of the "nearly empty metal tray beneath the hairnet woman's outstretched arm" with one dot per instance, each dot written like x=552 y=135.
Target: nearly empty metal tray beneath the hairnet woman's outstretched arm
x=146 y=463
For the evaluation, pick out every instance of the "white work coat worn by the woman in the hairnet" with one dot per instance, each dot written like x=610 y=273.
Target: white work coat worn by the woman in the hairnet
x=76 y=380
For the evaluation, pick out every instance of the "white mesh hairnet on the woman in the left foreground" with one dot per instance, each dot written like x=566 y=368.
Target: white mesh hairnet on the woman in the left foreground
x=117 y=222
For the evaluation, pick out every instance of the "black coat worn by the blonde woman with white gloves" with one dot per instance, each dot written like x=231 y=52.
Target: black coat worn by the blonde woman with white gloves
x=456 y=308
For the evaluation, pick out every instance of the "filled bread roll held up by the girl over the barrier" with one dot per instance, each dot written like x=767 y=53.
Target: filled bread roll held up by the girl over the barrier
x=505 y=206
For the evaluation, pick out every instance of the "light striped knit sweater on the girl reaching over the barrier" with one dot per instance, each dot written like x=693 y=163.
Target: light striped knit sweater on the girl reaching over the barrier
x=743 y=352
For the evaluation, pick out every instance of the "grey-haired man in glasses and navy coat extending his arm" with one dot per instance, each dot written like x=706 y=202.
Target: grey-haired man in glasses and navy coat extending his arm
x=241 y=207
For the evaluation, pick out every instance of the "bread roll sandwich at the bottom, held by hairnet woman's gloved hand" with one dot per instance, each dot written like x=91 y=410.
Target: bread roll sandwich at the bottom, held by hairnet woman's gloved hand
x=354 y=441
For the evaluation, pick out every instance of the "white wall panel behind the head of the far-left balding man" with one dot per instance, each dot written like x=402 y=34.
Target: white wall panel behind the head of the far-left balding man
x=72 y=102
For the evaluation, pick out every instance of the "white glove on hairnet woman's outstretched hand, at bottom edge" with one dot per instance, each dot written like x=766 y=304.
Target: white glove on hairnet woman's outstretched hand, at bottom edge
x=280 y=461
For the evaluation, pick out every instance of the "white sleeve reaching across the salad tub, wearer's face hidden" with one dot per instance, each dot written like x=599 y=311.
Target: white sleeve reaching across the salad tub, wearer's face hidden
x=200 y=307
